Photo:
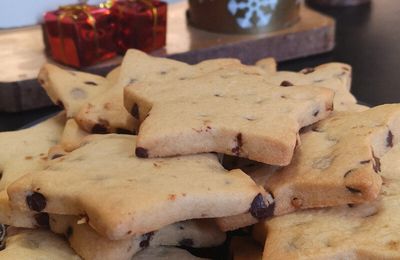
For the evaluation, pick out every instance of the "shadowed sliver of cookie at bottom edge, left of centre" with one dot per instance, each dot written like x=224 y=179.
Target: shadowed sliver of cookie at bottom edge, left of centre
x=165 y=253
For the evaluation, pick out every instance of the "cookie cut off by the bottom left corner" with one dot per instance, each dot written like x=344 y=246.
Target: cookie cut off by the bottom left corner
x=36 y=244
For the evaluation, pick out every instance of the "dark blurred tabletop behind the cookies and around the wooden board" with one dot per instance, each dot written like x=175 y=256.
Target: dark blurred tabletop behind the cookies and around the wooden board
x=367 y=37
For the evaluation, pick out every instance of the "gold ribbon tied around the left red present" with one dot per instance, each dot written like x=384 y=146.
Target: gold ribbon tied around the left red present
x=70 y=11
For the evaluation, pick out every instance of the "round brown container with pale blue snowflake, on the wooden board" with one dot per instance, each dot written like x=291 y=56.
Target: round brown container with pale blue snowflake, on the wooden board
x=243 y=16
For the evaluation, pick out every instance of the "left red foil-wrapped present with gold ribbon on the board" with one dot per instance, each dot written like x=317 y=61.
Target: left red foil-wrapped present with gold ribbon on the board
x=80 y=35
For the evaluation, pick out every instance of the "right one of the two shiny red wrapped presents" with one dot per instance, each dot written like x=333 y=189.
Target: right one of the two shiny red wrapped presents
x=142 y=24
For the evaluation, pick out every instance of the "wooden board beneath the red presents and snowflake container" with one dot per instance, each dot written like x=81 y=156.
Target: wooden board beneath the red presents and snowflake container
x=22 y=51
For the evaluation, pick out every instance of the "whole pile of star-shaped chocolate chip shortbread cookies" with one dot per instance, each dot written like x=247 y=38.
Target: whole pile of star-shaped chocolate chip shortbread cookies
x=162 y=160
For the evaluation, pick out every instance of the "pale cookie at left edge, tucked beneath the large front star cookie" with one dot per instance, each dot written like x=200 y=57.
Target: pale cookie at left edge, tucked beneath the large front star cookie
x=25 y=151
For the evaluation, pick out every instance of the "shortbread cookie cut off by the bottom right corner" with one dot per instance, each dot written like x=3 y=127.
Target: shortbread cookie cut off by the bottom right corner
x=367 y=231
